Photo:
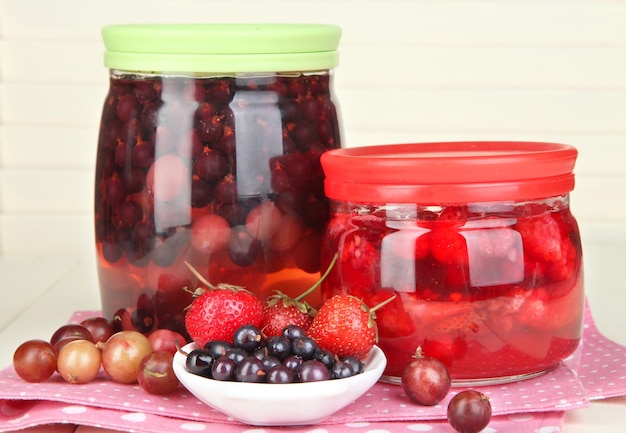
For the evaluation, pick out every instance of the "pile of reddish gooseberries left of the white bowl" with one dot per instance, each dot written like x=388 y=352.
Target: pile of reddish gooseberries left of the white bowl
x=79 y=351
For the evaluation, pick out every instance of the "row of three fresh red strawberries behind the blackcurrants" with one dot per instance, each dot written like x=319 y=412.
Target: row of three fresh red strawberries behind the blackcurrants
x=344 y=325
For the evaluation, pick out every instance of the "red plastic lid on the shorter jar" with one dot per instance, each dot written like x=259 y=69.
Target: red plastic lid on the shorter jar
x=449 y=172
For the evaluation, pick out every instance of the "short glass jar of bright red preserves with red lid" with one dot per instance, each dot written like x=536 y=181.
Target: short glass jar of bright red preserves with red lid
x=477 y=242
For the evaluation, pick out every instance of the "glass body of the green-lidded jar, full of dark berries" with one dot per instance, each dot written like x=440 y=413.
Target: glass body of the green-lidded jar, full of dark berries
x=219 y=168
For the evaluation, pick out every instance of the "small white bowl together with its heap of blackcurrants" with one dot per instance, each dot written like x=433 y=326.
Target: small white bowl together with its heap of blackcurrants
x=275 y=381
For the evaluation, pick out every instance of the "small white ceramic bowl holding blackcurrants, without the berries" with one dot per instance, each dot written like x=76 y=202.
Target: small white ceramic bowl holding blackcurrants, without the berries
x=267 y=404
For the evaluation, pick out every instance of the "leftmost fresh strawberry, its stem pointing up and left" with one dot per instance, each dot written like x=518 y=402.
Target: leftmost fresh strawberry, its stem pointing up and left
x=216 y=313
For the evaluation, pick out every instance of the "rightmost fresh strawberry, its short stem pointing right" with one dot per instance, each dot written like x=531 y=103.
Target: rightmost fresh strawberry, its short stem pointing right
x=345 y=326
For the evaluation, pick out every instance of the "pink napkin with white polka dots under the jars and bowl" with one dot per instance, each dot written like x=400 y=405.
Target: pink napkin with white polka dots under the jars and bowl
x=597 y=370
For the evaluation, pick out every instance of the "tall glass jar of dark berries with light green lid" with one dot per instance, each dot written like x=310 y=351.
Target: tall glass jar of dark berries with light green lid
x=209 y=154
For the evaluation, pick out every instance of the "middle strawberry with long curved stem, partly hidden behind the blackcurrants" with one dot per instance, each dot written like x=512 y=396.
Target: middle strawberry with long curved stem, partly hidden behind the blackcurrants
x=282 y=310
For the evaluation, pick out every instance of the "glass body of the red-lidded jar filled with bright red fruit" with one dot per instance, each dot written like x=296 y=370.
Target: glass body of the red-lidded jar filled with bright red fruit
x=493 y=290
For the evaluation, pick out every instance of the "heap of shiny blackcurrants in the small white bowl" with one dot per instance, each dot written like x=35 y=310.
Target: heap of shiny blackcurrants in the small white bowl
x=286 y=358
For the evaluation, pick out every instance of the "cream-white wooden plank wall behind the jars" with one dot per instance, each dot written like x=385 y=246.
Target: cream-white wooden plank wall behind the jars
x=411 y=70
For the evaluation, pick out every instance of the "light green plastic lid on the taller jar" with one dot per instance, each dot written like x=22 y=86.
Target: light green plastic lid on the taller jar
x=221 y=48
